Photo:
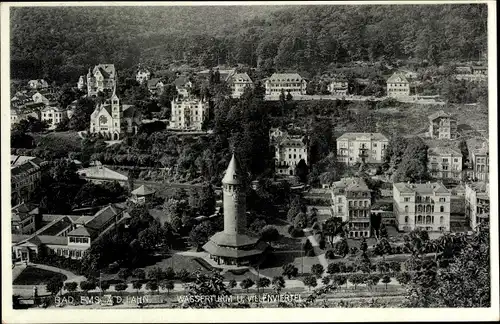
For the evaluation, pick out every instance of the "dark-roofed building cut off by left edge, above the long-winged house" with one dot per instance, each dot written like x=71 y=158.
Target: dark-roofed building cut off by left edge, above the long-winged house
x=25 y=174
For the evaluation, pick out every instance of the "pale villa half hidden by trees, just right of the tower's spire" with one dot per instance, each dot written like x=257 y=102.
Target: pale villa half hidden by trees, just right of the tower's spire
x=289 y=150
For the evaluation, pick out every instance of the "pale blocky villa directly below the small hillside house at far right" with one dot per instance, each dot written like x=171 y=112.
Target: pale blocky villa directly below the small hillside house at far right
x=444 y=163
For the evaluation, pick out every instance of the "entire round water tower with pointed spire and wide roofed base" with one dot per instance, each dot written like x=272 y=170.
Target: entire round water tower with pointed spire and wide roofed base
x=233 y=246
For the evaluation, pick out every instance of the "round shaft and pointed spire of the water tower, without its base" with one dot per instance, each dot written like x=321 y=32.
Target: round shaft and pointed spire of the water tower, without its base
x=234 y=196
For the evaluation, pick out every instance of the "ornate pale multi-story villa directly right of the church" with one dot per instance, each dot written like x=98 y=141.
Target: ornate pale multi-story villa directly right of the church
x=189 y=113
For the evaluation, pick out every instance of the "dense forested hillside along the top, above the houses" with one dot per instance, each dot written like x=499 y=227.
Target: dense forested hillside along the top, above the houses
x=61 y=43
